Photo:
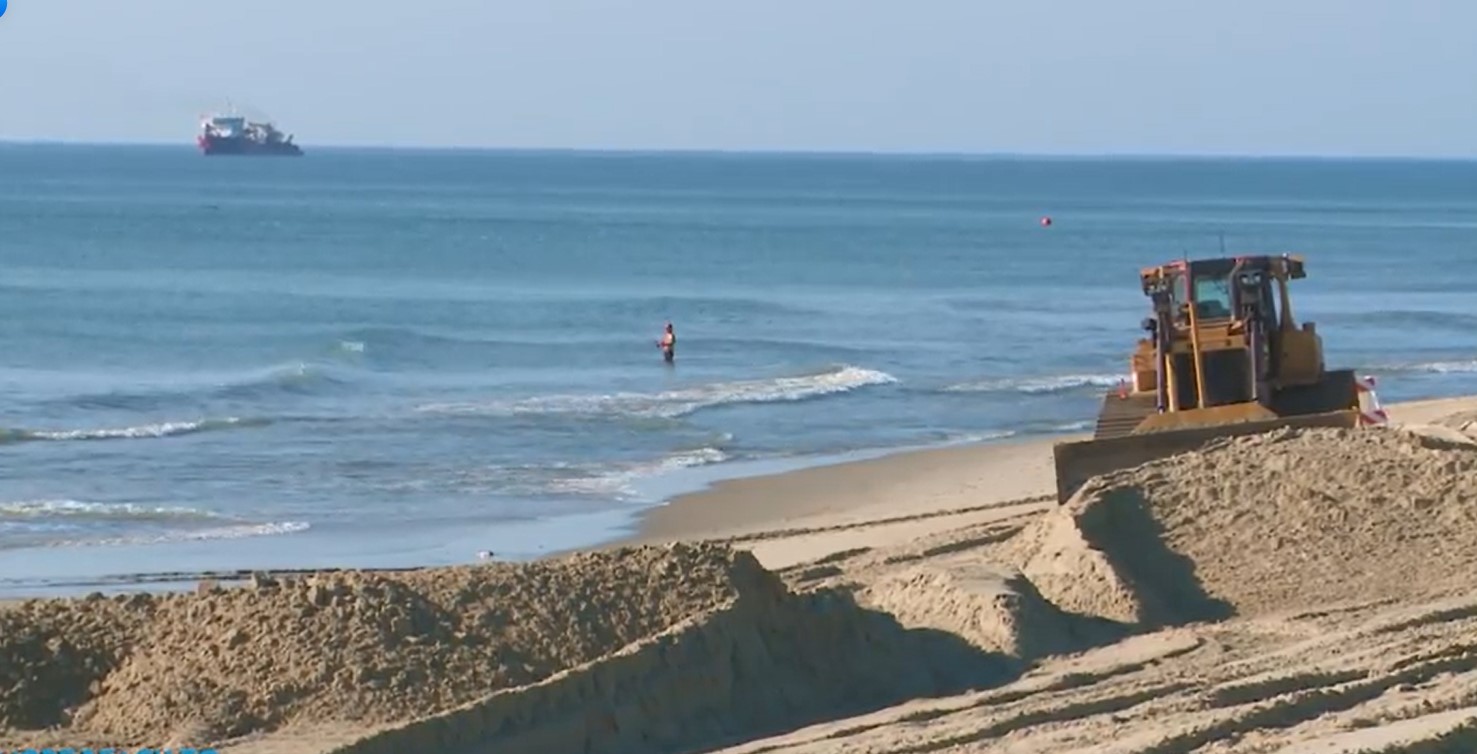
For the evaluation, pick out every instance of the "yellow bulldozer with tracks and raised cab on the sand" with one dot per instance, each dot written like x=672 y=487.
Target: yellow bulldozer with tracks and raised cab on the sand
x=1222 y=357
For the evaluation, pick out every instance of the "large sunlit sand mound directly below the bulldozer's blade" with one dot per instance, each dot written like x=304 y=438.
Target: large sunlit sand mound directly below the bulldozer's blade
x=1262 y=524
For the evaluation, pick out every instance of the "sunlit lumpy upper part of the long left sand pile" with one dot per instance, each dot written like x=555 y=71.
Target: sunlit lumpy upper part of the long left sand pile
x=355 y=645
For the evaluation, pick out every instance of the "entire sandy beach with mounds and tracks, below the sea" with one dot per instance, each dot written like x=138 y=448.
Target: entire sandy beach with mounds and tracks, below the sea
x=1281 y=594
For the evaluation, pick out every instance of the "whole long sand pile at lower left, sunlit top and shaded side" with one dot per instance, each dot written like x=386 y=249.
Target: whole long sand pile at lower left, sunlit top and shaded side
x=680 y=645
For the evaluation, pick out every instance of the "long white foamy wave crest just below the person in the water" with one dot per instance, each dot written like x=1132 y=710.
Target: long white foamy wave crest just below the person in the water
x=673 y=404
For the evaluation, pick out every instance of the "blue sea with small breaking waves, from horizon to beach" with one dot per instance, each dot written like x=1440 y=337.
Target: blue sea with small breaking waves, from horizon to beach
x=395 y=359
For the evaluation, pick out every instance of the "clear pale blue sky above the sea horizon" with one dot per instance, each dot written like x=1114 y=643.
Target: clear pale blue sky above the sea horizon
x=1365 y=78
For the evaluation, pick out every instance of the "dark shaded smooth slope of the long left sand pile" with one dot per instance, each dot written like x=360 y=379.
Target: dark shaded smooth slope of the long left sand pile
x=760 y=666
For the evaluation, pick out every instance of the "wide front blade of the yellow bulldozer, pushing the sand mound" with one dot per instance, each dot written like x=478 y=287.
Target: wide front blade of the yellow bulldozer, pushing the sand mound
x=1082 y=461
